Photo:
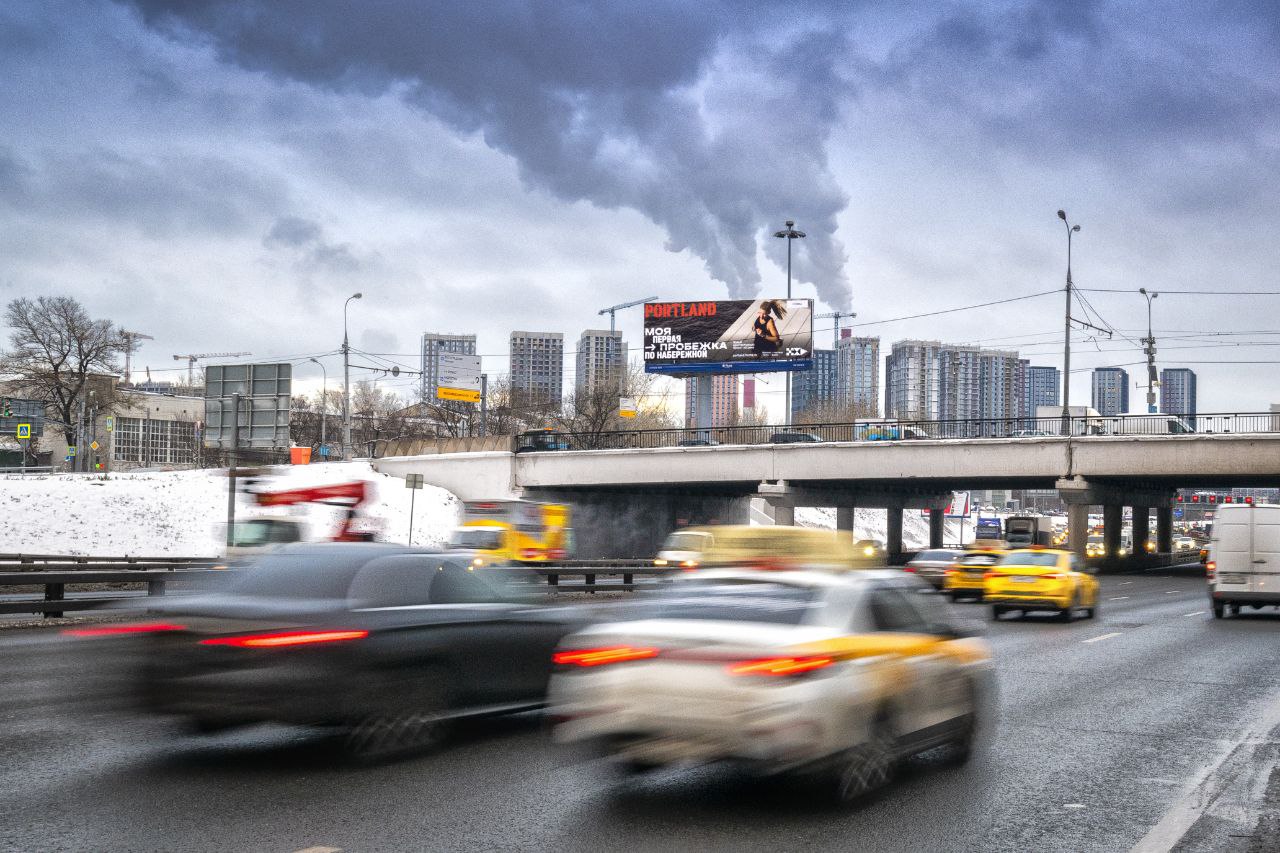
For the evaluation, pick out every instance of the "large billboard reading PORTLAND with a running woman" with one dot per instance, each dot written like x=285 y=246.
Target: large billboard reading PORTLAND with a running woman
x=739 y=336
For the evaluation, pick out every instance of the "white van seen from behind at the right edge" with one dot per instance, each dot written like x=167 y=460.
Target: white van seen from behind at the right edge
x=1245 y=558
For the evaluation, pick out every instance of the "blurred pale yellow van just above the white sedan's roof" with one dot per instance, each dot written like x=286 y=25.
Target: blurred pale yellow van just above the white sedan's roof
x=774 y=548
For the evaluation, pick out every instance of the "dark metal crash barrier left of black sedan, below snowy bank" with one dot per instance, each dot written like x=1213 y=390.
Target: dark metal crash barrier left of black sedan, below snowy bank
x=56 y=578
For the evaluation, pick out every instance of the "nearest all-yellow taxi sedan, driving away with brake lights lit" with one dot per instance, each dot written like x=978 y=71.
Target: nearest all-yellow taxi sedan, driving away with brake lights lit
x=1037 y=580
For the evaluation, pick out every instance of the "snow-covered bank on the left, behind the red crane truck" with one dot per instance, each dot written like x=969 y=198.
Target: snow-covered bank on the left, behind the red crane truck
x=184 y=514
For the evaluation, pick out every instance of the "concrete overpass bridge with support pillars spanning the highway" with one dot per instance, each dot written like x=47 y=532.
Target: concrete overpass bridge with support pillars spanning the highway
x=648 y=492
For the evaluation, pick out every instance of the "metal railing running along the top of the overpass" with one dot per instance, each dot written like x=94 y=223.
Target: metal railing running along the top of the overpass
x=906 y=430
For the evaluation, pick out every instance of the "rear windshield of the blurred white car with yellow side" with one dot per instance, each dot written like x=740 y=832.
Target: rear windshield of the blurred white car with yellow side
x=739 y=603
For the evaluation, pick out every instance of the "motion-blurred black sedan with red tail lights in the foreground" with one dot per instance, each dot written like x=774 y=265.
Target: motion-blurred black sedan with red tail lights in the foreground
x=383 y=644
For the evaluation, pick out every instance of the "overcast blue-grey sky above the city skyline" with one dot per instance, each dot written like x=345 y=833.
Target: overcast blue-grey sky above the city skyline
x=222 y=175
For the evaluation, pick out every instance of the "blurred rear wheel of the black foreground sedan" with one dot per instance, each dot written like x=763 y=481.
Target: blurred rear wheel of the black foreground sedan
x=415 y=723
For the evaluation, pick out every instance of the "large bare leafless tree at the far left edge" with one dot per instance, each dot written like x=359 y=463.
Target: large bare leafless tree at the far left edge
x=56 y=350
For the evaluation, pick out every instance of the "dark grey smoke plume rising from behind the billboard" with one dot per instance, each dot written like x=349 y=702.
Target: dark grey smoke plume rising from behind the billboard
x=623 y=106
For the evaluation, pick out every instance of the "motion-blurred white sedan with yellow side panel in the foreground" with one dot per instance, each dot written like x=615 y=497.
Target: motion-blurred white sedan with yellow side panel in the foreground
x=834 y=677
